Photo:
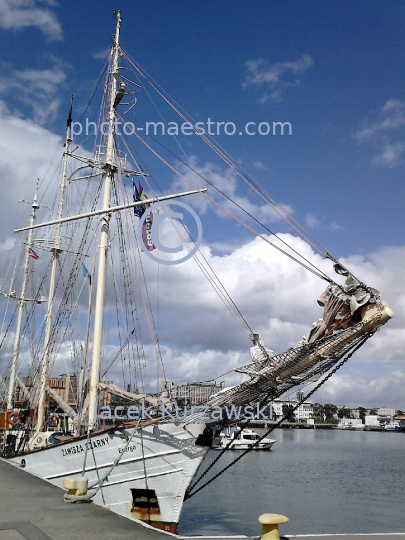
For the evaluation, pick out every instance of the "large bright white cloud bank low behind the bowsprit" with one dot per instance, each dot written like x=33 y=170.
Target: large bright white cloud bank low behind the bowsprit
x=278 y=299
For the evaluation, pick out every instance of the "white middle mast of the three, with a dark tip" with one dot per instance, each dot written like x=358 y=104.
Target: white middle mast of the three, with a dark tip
x=51 y=297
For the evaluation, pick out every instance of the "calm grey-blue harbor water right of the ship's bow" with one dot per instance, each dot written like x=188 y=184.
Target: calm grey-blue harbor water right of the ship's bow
x=325 y=481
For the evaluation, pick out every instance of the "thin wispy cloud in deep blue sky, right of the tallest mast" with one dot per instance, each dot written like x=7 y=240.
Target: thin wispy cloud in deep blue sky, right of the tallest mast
x=276 y=77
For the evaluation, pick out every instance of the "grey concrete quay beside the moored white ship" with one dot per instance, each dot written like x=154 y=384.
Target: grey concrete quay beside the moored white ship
x=32 y=509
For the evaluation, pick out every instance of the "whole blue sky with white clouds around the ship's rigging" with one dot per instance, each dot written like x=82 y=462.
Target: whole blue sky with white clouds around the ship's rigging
x=333 y=70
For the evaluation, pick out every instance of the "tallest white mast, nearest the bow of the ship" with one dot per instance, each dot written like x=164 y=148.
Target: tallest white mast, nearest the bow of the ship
x=105 y=223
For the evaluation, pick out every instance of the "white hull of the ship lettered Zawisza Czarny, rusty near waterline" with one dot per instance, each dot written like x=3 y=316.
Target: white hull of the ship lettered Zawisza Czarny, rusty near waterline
x=147 y=484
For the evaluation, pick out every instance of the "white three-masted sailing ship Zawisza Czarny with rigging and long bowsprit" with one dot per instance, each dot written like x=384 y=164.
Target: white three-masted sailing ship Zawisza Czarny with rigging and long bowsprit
x=140 y=467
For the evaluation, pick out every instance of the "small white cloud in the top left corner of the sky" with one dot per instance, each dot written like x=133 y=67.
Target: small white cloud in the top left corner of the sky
x=19 y=14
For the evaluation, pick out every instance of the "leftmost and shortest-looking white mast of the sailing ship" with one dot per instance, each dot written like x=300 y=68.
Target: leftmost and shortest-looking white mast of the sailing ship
x=20 y=314
